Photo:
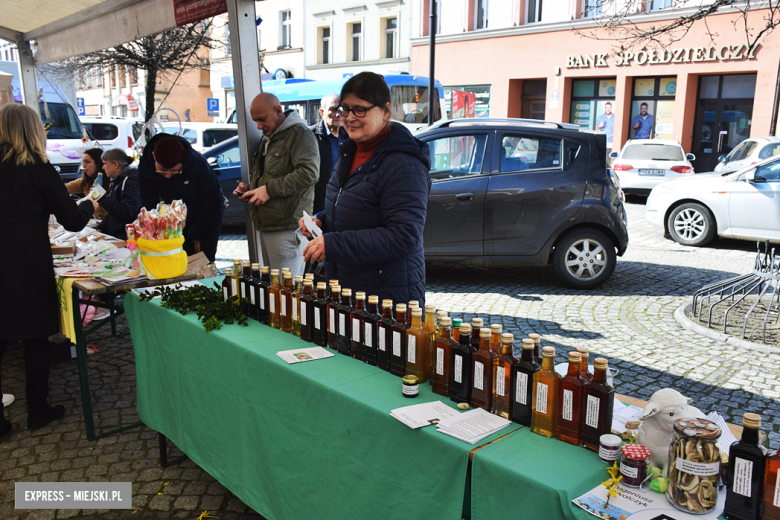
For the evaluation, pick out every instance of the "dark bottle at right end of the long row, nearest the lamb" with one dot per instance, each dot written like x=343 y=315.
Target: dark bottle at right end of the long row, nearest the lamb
x=598 y=401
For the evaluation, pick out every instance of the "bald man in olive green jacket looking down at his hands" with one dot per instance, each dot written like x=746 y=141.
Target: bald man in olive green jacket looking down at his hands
x=284 y=170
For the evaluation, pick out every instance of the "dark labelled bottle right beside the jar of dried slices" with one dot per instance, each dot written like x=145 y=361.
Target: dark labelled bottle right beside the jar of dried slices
x=747 y=465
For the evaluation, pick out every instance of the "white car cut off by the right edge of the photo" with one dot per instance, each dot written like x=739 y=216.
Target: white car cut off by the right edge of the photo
x=743 y=205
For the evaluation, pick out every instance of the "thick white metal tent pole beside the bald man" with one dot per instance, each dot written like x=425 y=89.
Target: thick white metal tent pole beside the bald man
x=247 y=84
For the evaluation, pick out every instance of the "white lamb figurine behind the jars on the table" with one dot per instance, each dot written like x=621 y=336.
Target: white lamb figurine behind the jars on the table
x=657 y=428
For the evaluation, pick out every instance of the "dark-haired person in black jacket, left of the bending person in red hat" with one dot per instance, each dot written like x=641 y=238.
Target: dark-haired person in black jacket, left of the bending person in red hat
x=123 y=200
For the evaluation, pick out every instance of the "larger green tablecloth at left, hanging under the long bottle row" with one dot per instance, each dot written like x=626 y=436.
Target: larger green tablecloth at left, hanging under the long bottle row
x=309 y=440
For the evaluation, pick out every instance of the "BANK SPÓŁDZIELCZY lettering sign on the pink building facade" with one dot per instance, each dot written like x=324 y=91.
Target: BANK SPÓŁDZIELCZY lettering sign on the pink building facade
x=663 y=56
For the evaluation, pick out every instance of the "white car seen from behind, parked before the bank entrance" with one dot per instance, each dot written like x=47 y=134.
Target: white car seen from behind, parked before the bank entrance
x=642 y=164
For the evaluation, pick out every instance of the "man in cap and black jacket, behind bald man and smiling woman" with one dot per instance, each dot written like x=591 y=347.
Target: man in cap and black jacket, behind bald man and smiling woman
x=330 y=134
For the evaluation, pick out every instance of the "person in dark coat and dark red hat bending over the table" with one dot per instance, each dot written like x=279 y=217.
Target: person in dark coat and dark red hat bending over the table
x=169 y=170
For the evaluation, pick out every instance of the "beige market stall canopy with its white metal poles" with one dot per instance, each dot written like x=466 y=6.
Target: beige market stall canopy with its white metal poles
x=65 y=29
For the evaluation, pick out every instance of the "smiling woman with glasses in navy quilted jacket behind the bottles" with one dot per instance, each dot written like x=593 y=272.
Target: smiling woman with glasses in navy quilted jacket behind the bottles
x=376 y=201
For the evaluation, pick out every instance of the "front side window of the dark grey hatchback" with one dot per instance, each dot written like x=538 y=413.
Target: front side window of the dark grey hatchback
x=457 y=156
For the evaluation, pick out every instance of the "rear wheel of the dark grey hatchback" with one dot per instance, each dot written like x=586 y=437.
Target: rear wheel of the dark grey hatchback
x=584 y=258
